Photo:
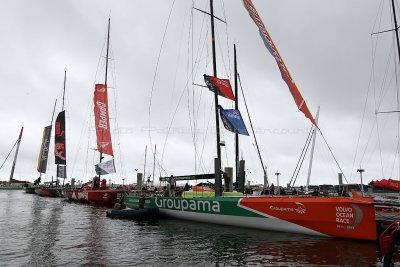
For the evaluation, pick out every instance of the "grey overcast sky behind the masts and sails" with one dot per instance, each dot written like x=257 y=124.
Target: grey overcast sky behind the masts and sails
x=326 y=45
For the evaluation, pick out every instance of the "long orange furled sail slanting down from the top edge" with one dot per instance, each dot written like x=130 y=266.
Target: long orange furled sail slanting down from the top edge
x=301 y=104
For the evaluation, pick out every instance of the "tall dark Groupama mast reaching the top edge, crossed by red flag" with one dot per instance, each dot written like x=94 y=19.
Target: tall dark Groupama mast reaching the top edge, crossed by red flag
x=215 y=92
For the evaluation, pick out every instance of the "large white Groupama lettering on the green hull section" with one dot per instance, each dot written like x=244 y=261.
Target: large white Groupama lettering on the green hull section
x=188 y=205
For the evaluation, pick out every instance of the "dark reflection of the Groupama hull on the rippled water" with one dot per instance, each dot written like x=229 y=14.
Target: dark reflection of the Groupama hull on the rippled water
x=222 y=245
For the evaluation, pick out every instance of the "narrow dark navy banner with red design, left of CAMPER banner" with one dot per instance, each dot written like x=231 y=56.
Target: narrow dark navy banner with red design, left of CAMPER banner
x=59 y=139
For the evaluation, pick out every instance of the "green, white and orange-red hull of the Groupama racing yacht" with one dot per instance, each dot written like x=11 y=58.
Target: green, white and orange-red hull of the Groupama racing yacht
x=324 y=216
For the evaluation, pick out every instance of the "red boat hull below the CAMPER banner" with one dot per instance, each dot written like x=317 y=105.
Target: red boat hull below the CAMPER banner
x=100 y=197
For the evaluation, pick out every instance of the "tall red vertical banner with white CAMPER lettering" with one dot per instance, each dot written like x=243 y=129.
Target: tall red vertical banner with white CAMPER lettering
x=102 y=119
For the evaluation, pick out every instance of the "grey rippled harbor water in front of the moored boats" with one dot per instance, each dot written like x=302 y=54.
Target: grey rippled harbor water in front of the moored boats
x=36 y=231
